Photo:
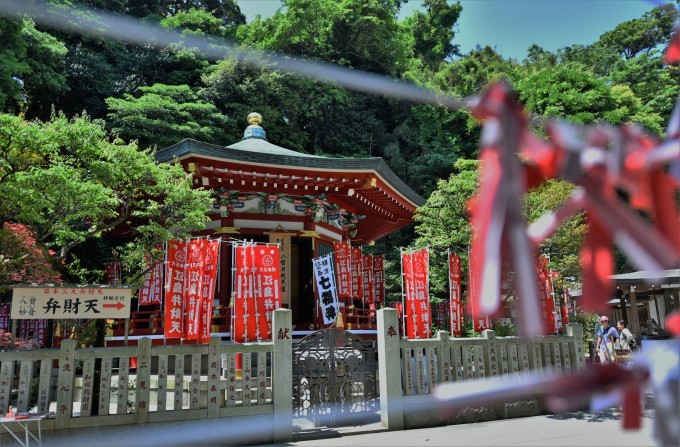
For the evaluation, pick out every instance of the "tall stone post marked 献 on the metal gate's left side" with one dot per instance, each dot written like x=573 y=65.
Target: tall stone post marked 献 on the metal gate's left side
x=282 y=375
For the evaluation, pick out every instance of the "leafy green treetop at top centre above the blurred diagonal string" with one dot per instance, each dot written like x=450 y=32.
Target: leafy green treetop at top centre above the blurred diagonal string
x=364 y=34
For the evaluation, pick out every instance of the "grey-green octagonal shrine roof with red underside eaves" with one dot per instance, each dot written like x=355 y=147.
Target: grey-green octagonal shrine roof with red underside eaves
x=363 y=185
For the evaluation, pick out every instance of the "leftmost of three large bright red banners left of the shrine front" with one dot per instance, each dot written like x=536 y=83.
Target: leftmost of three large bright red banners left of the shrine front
x=174 y=289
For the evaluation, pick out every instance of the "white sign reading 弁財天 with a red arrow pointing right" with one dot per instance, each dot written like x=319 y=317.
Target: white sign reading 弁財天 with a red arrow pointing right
x=70 y=302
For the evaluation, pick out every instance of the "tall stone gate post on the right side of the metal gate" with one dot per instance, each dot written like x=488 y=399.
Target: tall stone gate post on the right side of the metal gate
x=389 y=367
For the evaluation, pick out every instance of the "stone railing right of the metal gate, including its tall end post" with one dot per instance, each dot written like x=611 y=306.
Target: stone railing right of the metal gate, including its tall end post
x=409 y=368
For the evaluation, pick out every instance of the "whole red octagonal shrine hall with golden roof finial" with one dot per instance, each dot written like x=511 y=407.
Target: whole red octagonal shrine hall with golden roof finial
x=269 y=194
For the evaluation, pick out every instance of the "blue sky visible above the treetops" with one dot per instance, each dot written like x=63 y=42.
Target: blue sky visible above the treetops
x=511 y=26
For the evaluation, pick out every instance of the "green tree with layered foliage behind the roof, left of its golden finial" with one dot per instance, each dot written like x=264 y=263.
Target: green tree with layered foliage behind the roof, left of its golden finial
x=165 y=114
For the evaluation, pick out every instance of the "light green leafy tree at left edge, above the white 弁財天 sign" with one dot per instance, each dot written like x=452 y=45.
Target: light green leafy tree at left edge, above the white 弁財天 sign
x=68 y=182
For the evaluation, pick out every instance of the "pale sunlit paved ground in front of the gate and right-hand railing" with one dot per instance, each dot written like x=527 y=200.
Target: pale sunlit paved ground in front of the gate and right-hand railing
x=570 y=429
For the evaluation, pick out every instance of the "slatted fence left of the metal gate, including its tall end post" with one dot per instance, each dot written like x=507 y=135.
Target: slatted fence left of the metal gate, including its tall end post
x=145 y=383
